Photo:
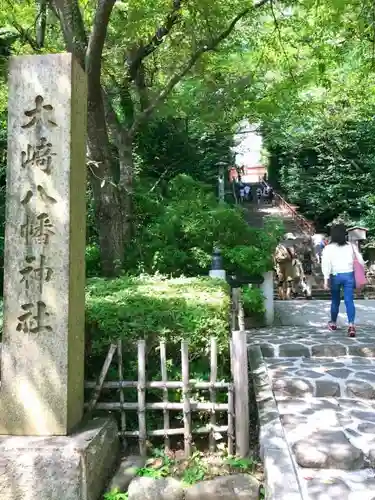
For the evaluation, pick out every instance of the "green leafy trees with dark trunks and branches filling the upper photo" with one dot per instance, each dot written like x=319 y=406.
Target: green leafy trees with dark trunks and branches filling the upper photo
x=169 y=80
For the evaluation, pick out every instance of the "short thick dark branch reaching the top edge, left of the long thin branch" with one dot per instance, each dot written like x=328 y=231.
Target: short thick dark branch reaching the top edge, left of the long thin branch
x=134 y=60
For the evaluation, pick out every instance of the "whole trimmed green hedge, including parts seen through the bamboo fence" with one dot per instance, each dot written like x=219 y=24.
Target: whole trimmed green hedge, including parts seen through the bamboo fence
x=155 y=308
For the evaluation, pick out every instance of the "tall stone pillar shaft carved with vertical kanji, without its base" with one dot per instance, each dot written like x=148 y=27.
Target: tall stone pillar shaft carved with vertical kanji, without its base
x=43 y=342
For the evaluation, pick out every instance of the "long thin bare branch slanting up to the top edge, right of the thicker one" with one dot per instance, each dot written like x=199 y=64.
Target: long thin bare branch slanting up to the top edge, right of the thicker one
x=205 y=47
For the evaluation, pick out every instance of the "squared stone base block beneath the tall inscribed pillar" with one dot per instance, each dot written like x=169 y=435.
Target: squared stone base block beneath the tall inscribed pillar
x=75 y=467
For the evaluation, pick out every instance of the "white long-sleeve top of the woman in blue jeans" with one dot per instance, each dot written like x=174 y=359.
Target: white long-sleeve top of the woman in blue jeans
x=339 y=259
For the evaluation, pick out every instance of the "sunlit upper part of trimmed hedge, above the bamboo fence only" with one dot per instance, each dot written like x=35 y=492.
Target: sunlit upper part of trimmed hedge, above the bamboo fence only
x=155 y=307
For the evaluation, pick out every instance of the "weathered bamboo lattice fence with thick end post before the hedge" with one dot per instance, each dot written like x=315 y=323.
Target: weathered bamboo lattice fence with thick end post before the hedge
x=237 y=391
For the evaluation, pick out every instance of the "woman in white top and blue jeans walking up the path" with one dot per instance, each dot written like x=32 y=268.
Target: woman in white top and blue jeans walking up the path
x=338 y=271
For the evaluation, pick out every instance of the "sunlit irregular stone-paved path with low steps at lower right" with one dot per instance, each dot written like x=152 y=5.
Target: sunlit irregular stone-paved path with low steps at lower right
x=323 y=389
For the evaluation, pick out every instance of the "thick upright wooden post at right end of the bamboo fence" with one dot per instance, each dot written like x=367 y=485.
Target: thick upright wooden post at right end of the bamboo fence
x=239 y=360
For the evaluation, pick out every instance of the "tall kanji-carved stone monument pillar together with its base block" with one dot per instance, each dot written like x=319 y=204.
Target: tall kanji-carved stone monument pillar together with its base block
x=42 y=358
